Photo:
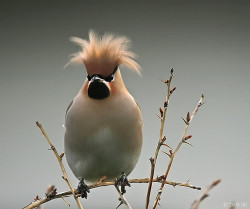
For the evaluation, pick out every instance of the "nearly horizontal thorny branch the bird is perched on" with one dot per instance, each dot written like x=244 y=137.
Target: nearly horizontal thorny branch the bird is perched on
x=110 y=183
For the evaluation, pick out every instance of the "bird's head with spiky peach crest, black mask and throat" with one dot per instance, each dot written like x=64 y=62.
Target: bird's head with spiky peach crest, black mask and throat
x=102 y=57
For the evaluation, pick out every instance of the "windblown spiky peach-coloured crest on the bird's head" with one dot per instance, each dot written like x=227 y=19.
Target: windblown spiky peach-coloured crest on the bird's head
x=102 y=54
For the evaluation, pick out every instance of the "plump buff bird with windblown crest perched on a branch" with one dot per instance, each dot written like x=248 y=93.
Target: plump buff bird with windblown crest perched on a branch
x=103 y=123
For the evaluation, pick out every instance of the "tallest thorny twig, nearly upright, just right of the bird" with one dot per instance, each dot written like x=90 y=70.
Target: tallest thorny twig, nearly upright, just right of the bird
x=153 y=161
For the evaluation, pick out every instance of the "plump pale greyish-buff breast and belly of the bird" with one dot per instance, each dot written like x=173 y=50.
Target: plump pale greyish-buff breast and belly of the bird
x=103 y=138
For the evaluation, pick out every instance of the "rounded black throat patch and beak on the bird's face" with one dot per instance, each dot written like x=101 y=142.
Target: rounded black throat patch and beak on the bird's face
x=98 y=88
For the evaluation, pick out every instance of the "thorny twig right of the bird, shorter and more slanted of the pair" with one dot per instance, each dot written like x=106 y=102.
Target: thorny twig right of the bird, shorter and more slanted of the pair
x=183 y=140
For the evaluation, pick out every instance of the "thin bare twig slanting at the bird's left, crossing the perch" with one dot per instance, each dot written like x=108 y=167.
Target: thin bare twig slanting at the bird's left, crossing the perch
x=65 y=176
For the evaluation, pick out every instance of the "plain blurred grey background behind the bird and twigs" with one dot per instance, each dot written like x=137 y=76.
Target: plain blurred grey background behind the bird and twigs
x=206 y=42
